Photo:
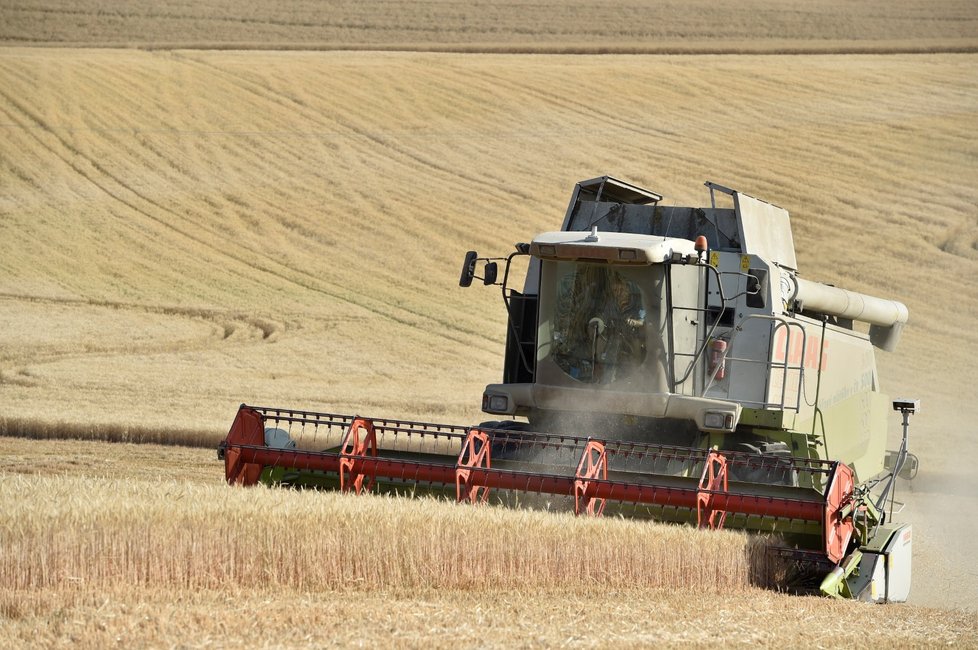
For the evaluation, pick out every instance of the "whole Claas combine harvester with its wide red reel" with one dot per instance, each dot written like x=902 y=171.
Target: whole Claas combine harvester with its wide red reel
x=665 y=362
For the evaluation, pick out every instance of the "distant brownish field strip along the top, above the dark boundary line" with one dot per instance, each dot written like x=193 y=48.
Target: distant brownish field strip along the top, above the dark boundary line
x=776 y=27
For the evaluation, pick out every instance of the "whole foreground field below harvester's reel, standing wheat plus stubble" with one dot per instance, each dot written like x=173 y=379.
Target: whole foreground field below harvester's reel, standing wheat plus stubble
x=160 y=553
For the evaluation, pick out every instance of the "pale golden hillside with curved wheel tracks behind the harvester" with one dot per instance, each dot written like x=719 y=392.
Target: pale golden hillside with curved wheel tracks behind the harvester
x=298 y=219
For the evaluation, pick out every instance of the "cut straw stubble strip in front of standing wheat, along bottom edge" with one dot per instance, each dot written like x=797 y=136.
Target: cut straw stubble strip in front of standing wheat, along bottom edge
x=447 y=619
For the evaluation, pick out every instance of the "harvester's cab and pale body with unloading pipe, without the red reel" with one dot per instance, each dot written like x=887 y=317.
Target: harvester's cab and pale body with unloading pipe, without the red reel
x=692 y=326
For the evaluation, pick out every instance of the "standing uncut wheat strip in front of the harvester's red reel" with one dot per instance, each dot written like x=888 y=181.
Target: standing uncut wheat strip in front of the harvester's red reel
x=171 y=534
